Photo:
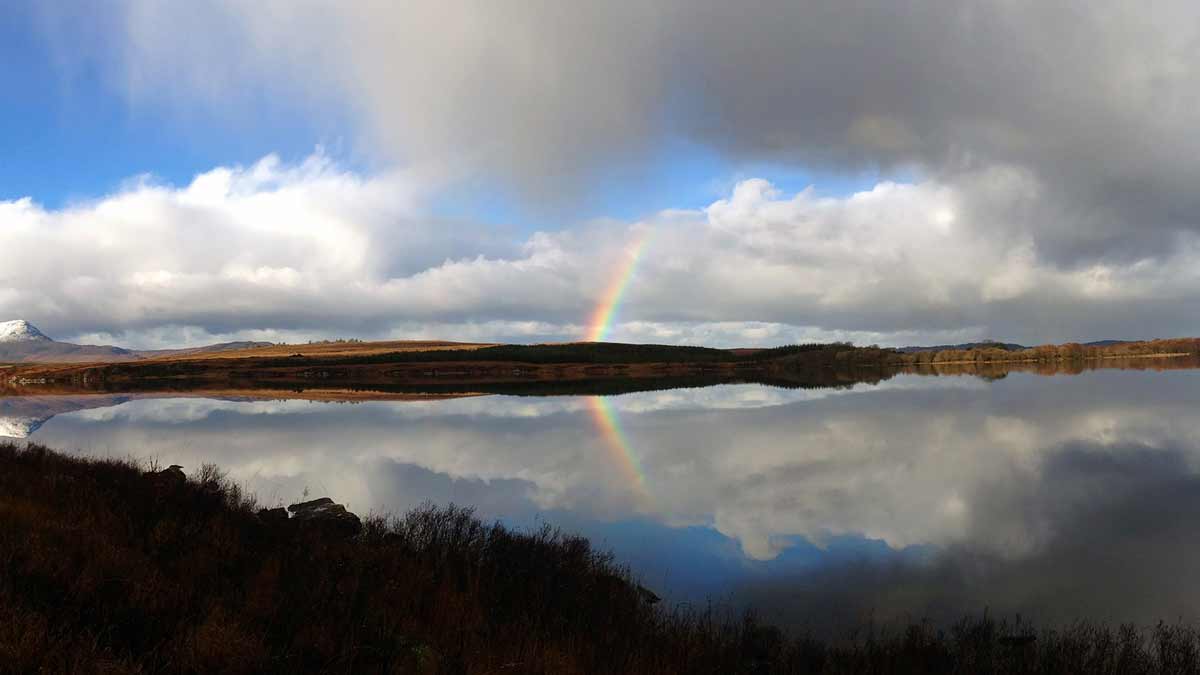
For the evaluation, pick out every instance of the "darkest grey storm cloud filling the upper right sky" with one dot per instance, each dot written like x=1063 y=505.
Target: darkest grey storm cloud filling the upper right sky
x=1097 y=100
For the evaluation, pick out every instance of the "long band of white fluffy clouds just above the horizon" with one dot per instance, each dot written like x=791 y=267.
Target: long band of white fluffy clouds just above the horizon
x=275 y=252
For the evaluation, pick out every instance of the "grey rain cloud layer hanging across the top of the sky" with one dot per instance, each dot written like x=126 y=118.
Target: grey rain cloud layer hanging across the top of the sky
x=1094 y=101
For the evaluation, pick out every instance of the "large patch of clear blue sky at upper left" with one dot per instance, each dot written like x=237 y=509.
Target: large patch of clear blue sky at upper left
x=69 y=134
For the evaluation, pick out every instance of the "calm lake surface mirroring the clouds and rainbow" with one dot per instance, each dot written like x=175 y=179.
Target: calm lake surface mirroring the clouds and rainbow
x=1059 y=498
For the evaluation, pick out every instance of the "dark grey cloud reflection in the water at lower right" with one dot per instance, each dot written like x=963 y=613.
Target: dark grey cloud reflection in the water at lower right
x=1113 y=540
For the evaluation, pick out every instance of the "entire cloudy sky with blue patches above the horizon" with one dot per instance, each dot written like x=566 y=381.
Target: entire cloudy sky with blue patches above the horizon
x=923 y=172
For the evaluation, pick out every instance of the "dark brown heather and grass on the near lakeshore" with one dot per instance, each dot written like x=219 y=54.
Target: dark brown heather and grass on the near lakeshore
x=110 y=569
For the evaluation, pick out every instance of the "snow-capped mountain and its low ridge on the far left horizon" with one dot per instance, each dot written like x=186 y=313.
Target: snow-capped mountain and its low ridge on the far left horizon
x=21 y=342
